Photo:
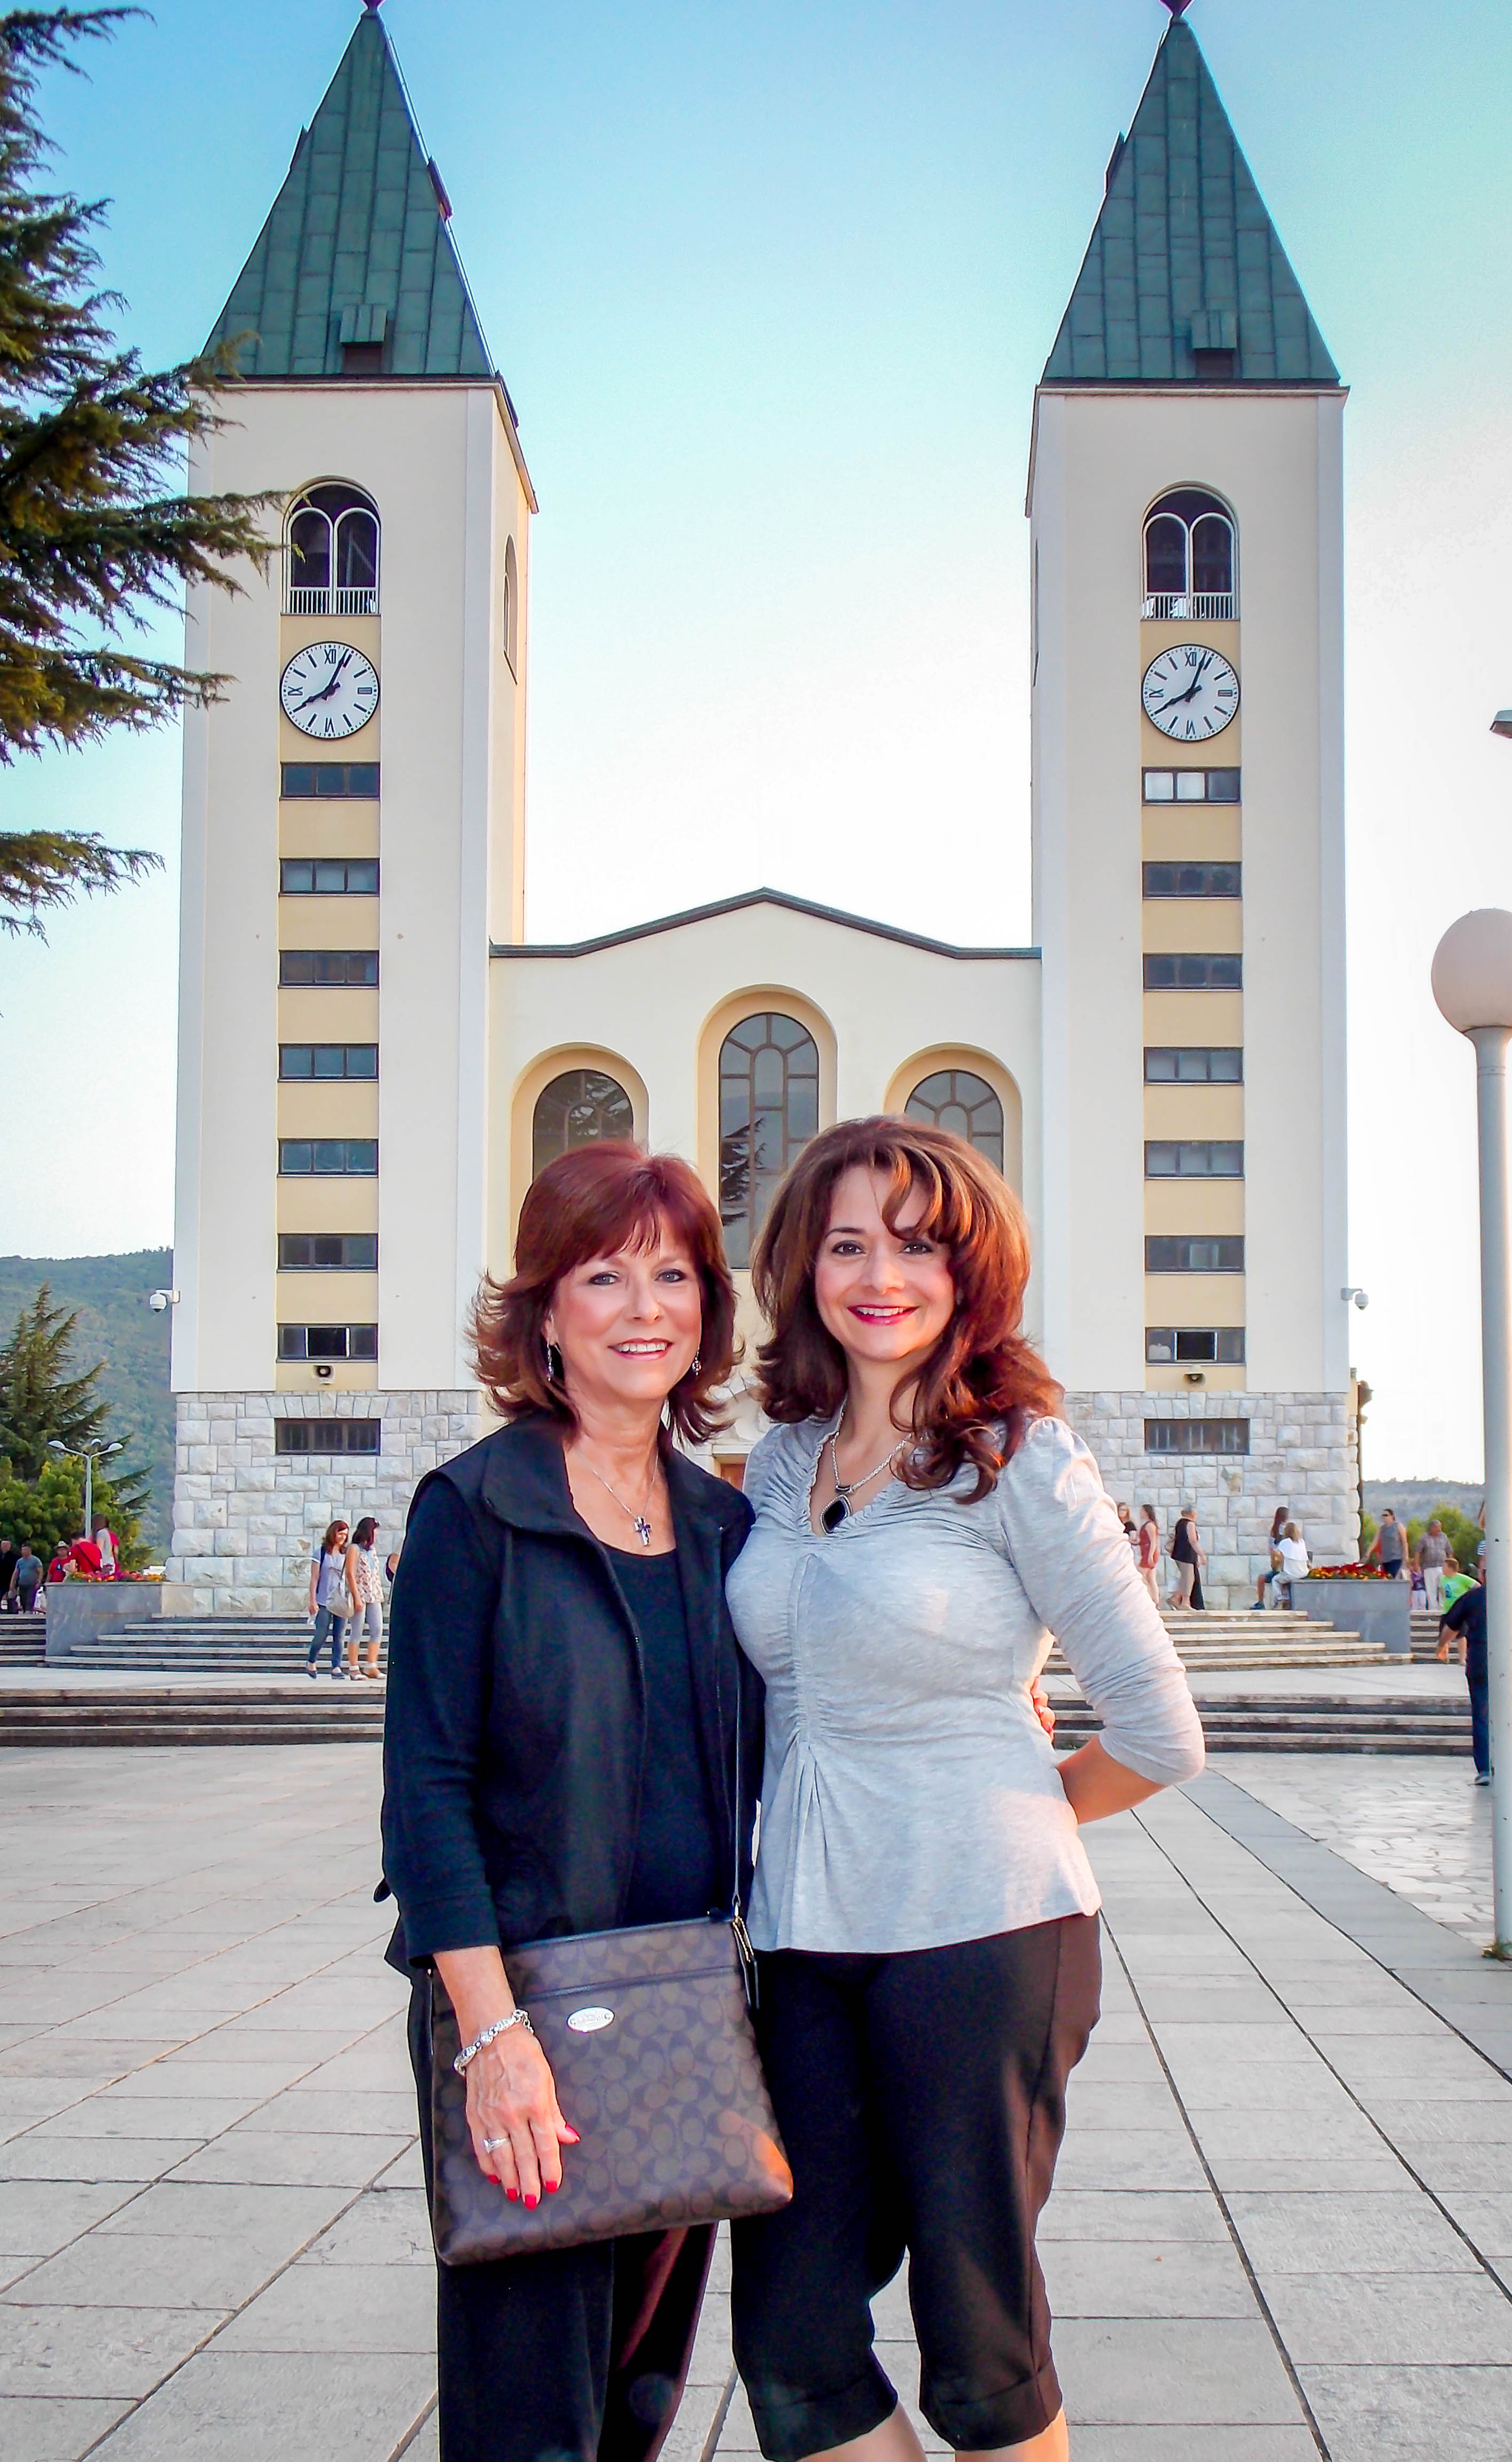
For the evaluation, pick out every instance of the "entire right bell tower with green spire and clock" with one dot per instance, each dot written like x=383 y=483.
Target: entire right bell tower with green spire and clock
x=1186 y=503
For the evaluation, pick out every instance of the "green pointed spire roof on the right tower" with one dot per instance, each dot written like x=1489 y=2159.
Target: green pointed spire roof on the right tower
x=1186 y=277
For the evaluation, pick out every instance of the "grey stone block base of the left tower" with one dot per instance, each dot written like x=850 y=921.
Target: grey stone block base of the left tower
x=247 y=1518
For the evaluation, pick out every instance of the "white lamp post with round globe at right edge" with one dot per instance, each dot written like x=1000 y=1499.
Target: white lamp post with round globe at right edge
x=1474 y=988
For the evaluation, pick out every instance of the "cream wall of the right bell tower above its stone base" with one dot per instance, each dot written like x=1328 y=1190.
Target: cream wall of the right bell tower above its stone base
x=1100 y=462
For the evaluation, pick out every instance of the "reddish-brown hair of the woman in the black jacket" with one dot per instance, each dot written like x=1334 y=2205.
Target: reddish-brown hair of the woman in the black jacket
x=592 y=1203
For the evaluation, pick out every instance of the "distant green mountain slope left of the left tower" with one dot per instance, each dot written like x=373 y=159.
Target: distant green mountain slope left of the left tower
x=119 y=1328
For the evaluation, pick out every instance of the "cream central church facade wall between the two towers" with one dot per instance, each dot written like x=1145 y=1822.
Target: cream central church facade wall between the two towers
x=666 y=1001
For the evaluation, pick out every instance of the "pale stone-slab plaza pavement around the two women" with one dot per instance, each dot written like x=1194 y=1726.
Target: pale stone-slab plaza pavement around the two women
x=1282 y=2227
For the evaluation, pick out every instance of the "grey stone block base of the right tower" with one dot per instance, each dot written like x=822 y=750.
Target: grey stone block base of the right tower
x=1301 y=1454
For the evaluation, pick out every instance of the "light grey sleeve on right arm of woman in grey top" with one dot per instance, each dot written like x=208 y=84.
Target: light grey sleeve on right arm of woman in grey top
x=1080 y=1577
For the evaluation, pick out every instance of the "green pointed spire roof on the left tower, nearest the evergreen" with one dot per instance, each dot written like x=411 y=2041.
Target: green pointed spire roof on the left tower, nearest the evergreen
x=356 y=272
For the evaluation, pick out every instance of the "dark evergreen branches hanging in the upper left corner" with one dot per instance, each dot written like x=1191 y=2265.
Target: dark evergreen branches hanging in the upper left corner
x=95 y=526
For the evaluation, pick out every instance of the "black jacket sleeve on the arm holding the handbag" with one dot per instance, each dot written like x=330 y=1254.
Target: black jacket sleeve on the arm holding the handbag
x=440 y=1685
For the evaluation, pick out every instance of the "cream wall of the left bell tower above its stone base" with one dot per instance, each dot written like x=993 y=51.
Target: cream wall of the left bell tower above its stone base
x=452 y=728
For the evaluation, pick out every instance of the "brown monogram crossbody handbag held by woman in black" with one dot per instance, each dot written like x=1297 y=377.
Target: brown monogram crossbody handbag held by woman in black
x=656 y=2067
